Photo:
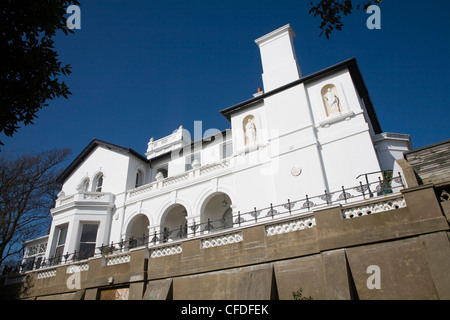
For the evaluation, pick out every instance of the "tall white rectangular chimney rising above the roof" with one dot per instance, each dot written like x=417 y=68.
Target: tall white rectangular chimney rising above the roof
x=278 y=58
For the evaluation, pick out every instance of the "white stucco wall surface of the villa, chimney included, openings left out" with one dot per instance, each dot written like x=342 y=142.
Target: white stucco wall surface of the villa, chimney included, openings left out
x=299 y=150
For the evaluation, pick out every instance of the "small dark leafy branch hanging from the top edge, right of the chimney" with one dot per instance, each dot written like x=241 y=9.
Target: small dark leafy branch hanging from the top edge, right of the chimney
x=332 y=11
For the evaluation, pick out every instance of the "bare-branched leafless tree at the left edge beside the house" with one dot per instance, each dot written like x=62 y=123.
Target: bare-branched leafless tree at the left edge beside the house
x=28 y=190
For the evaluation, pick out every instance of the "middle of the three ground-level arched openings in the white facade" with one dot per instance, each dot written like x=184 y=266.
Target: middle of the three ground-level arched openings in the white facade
x=174 y=223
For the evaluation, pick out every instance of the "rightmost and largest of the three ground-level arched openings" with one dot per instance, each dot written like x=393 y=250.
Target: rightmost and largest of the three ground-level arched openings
x=216 y=213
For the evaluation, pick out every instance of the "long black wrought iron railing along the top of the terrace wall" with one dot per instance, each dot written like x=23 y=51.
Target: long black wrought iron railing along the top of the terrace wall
x=383 y=186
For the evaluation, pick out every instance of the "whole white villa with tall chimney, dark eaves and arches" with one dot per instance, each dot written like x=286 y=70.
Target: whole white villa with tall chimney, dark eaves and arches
x=302 y=136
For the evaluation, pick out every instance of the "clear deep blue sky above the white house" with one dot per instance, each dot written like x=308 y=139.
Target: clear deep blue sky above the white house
x=142 y=68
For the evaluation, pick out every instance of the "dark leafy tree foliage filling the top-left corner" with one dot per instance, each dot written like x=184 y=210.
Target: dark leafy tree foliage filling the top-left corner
x=29 y=68
